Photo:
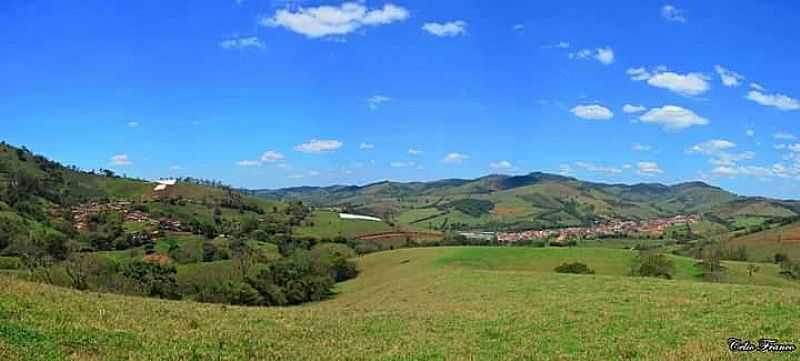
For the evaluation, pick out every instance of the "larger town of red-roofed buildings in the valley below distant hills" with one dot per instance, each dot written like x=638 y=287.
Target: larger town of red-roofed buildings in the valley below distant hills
x=652 y=227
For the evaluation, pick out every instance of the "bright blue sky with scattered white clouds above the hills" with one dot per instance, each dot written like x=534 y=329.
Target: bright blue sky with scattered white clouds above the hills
x=266 y=94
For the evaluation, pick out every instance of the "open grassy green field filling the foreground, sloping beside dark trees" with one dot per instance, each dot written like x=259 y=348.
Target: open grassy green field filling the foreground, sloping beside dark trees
x=417 y=304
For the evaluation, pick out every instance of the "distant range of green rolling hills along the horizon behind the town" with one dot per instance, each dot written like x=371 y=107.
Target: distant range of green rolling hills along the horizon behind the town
x=535 y=200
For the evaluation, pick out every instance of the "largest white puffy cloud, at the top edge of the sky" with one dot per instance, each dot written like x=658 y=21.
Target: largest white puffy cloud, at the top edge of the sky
x=323 y=21
